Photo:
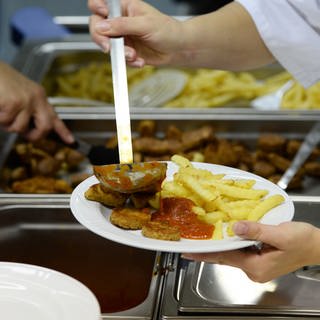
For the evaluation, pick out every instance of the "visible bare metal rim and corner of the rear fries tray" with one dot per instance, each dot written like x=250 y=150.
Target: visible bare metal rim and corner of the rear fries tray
x=36 y=59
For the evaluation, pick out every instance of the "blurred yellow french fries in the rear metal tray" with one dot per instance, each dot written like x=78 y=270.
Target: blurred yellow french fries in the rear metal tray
x=205 y=88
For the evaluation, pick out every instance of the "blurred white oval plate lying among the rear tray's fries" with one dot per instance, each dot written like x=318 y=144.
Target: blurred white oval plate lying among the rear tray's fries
x=157 y=89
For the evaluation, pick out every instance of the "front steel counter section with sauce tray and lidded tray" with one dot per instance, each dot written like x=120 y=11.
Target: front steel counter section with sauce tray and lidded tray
x=132 y=283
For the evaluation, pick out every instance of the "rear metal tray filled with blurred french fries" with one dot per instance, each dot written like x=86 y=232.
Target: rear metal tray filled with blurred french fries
x=78 y=69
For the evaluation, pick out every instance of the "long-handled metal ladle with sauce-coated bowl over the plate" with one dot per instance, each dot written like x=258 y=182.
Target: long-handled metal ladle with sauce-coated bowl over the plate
x=125 y=177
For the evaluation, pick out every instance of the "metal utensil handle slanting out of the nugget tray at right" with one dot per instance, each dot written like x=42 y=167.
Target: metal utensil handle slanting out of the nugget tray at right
x=310 y=142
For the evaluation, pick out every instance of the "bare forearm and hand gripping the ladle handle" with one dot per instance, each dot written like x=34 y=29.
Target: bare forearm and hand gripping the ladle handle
x=226 y=39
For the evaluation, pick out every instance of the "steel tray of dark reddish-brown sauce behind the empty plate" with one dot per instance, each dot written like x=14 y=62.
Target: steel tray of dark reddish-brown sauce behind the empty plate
x=41 y=230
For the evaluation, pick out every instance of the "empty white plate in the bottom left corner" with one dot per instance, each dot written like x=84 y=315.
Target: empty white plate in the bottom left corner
x=31 y=292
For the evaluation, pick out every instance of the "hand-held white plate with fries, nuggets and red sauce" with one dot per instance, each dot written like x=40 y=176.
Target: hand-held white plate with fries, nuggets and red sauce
x=193 y=210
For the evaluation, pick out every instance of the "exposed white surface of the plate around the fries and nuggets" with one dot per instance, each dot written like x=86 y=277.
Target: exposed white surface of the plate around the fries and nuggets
x=95 y=216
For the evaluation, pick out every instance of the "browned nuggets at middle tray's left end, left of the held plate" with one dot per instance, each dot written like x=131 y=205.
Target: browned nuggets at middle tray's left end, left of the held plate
x=43 y=167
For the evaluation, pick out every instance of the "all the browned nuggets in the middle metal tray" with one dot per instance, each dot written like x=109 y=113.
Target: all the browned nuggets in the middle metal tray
x=49 y=167
